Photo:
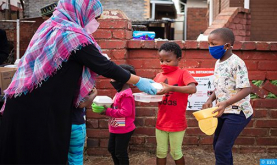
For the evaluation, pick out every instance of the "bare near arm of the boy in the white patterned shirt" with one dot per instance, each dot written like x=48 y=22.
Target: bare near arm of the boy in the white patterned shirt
x=239 y=96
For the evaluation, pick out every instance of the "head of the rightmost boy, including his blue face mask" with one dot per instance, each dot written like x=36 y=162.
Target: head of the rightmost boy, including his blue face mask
x=220 y=41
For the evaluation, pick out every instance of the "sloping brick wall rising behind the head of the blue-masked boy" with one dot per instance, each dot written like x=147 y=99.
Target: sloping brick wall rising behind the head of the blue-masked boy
x=235 y=18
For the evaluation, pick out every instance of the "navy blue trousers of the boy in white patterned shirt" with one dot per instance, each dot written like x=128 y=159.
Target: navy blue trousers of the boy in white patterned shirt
x=228 y=129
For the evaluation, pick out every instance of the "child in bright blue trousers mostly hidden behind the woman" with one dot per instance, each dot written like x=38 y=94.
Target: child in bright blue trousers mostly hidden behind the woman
x=78 y=130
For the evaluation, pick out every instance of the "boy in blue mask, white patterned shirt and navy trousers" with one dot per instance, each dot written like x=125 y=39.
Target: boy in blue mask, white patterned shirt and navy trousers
x=232 y=89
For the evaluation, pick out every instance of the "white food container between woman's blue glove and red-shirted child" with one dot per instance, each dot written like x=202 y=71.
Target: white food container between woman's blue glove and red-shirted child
x=144 y=97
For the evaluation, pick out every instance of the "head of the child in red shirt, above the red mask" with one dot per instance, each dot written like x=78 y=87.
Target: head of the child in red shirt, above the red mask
x=170 y=54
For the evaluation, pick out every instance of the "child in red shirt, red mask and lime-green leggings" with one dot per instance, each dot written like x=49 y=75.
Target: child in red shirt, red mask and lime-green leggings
x=171 y=120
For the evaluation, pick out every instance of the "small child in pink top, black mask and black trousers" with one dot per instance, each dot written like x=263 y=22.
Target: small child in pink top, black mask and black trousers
x=121 y=122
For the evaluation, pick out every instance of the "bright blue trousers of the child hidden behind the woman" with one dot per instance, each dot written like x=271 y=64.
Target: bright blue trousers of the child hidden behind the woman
x=77 y=142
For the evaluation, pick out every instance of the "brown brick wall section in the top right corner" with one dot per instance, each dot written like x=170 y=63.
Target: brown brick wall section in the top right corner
x=263 y=20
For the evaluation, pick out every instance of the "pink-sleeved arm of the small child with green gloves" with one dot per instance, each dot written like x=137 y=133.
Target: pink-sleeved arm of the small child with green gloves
x=126 y=109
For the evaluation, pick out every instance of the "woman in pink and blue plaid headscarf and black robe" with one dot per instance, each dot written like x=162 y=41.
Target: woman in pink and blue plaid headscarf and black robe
x=55 y=74
